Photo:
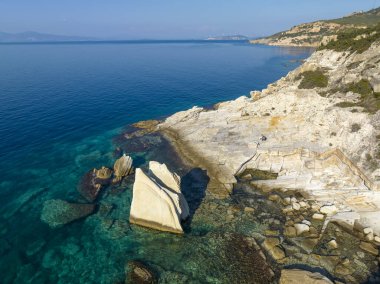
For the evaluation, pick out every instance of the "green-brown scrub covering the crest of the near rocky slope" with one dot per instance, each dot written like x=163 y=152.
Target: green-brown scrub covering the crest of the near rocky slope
x=354 y=40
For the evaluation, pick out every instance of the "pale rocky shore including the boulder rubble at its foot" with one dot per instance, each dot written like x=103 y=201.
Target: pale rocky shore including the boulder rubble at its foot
x=317 y=153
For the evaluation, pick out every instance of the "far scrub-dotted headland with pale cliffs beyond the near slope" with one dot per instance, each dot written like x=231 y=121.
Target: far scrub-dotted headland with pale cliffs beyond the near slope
x=315 y=33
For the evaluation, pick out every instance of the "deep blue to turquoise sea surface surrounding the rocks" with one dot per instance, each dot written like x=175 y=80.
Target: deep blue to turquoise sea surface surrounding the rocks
x=62 y=110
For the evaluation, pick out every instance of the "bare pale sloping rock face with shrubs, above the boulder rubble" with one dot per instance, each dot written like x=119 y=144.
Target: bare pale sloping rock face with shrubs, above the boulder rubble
x=322 y=129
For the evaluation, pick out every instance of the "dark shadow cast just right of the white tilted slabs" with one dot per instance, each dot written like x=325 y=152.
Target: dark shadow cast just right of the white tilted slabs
x=193 y=187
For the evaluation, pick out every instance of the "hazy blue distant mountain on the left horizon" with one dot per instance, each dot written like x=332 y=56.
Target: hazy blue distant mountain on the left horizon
x=38 y=37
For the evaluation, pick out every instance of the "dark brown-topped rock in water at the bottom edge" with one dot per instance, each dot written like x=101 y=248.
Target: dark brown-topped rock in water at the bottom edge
x=139 y=273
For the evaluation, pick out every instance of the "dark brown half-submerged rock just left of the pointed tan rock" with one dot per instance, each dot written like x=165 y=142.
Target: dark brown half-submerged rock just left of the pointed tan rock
x=92 y=182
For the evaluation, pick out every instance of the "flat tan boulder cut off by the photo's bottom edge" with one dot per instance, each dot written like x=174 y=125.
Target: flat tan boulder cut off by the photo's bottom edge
x=296 y=276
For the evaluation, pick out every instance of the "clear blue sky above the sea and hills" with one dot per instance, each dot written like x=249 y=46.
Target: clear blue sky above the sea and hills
x=169 y=19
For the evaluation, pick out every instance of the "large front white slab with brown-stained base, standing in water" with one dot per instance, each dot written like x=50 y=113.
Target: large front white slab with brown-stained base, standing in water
x=154 y=206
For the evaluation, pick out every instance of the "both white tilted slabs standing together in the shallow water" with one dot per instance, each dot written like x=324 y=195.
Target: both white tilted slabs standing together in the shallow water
x=156 y=205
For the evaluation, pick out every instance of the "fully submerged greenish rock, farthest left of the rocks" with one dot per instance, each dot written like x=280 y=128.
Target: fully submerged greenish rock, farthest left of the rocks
x=56 y=212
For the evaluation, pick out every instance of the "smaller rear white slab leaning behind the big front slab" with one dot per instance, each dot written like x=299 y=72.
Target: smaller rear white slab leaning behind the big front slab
x=170 y=180
